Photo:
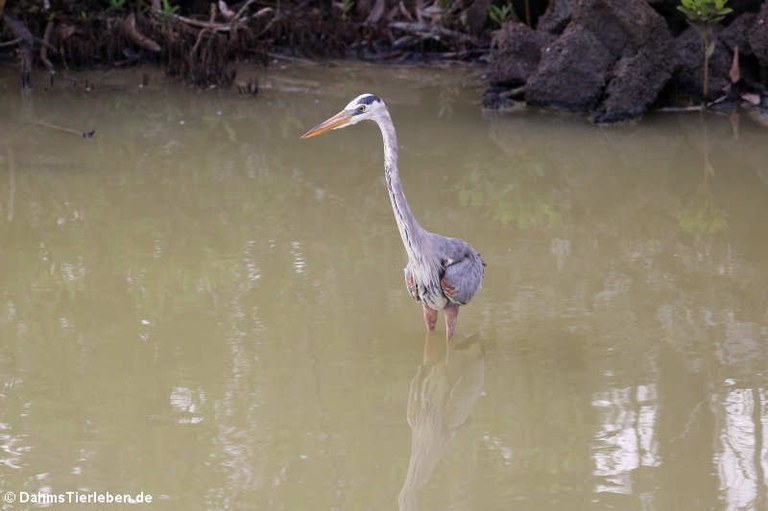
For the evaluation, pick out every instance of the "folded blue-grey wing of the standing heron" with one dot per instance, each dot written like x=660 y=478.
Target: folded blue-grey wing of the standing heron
x=462 y=273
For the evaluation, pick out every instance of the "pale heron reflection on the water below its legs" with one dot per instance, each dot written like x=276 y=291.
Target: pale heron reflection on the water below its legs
x=443 y=393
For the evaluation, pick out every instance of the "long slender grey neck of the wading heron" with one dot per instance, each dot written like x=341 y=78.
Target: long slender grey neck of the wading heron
x=411 y=232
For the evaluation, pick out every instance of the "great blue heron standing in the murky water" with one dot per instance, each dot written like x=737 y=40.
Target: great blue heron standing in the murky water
x=442 y=273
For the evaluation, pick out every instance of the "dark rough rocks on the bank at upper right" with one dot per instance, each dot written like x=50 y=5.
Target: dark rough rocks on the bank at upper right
x=615 y=59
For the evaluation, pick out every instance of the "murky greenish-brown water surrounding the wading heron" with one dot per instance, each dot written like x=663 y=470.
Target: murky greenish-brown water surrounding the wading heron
x=198 y=305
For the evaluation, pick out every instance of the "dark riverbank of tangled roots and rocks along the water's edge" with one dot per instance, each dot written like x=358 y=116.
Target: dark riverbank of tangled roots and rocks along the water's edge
x=608 y=59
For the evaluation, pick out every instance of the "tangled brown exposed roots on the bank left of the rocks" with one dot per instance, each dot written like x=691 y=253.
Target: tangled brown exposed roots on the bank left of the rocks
x=202 y=49
